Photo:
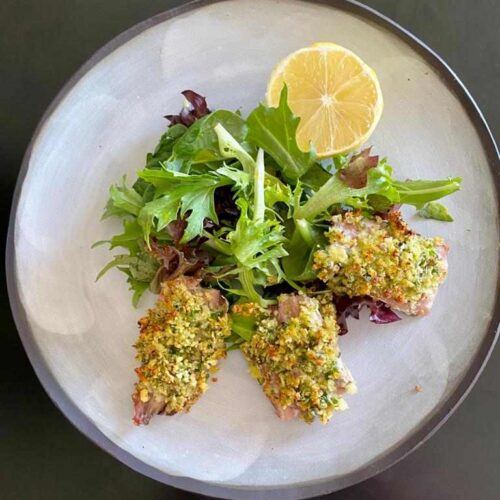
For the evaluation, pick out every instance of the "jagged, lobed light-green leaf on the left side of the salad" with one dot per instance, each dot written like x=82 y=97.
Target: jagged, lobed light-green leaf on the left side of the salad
x=176 y=195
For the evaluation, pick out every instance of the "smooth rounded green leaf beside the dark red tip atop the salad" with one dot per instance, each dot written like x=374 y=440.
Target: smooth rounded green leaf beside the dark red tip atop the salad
x=200 y=143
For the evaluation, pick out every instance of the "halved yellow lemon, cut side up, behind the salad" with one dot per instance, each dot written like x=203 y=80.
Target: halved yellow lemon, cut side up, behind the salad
x=335 y=94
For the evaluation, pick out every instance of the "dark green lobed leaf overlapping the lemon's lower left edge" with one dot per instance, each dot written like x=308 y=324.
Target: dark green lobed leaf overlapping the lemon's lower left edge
x=274 y=130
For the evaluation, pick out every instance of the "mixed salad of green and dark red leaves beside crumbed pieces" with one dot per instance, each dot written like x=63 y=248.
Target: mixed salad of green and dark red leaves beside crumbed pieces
x=236 y=202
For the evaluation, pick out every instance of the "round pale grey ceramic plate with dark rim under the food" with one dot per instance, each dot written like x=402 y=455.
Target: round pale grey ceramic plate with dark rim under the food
x=78 y=333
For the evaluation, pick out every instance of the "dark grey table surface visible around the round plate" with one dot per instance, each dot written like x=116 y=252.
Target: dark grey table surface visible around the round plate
x=41 y=455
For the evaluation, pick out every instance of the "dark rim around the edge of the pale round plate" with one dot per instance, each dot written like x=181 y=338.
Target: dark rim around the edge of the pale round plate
x=298 y=490
